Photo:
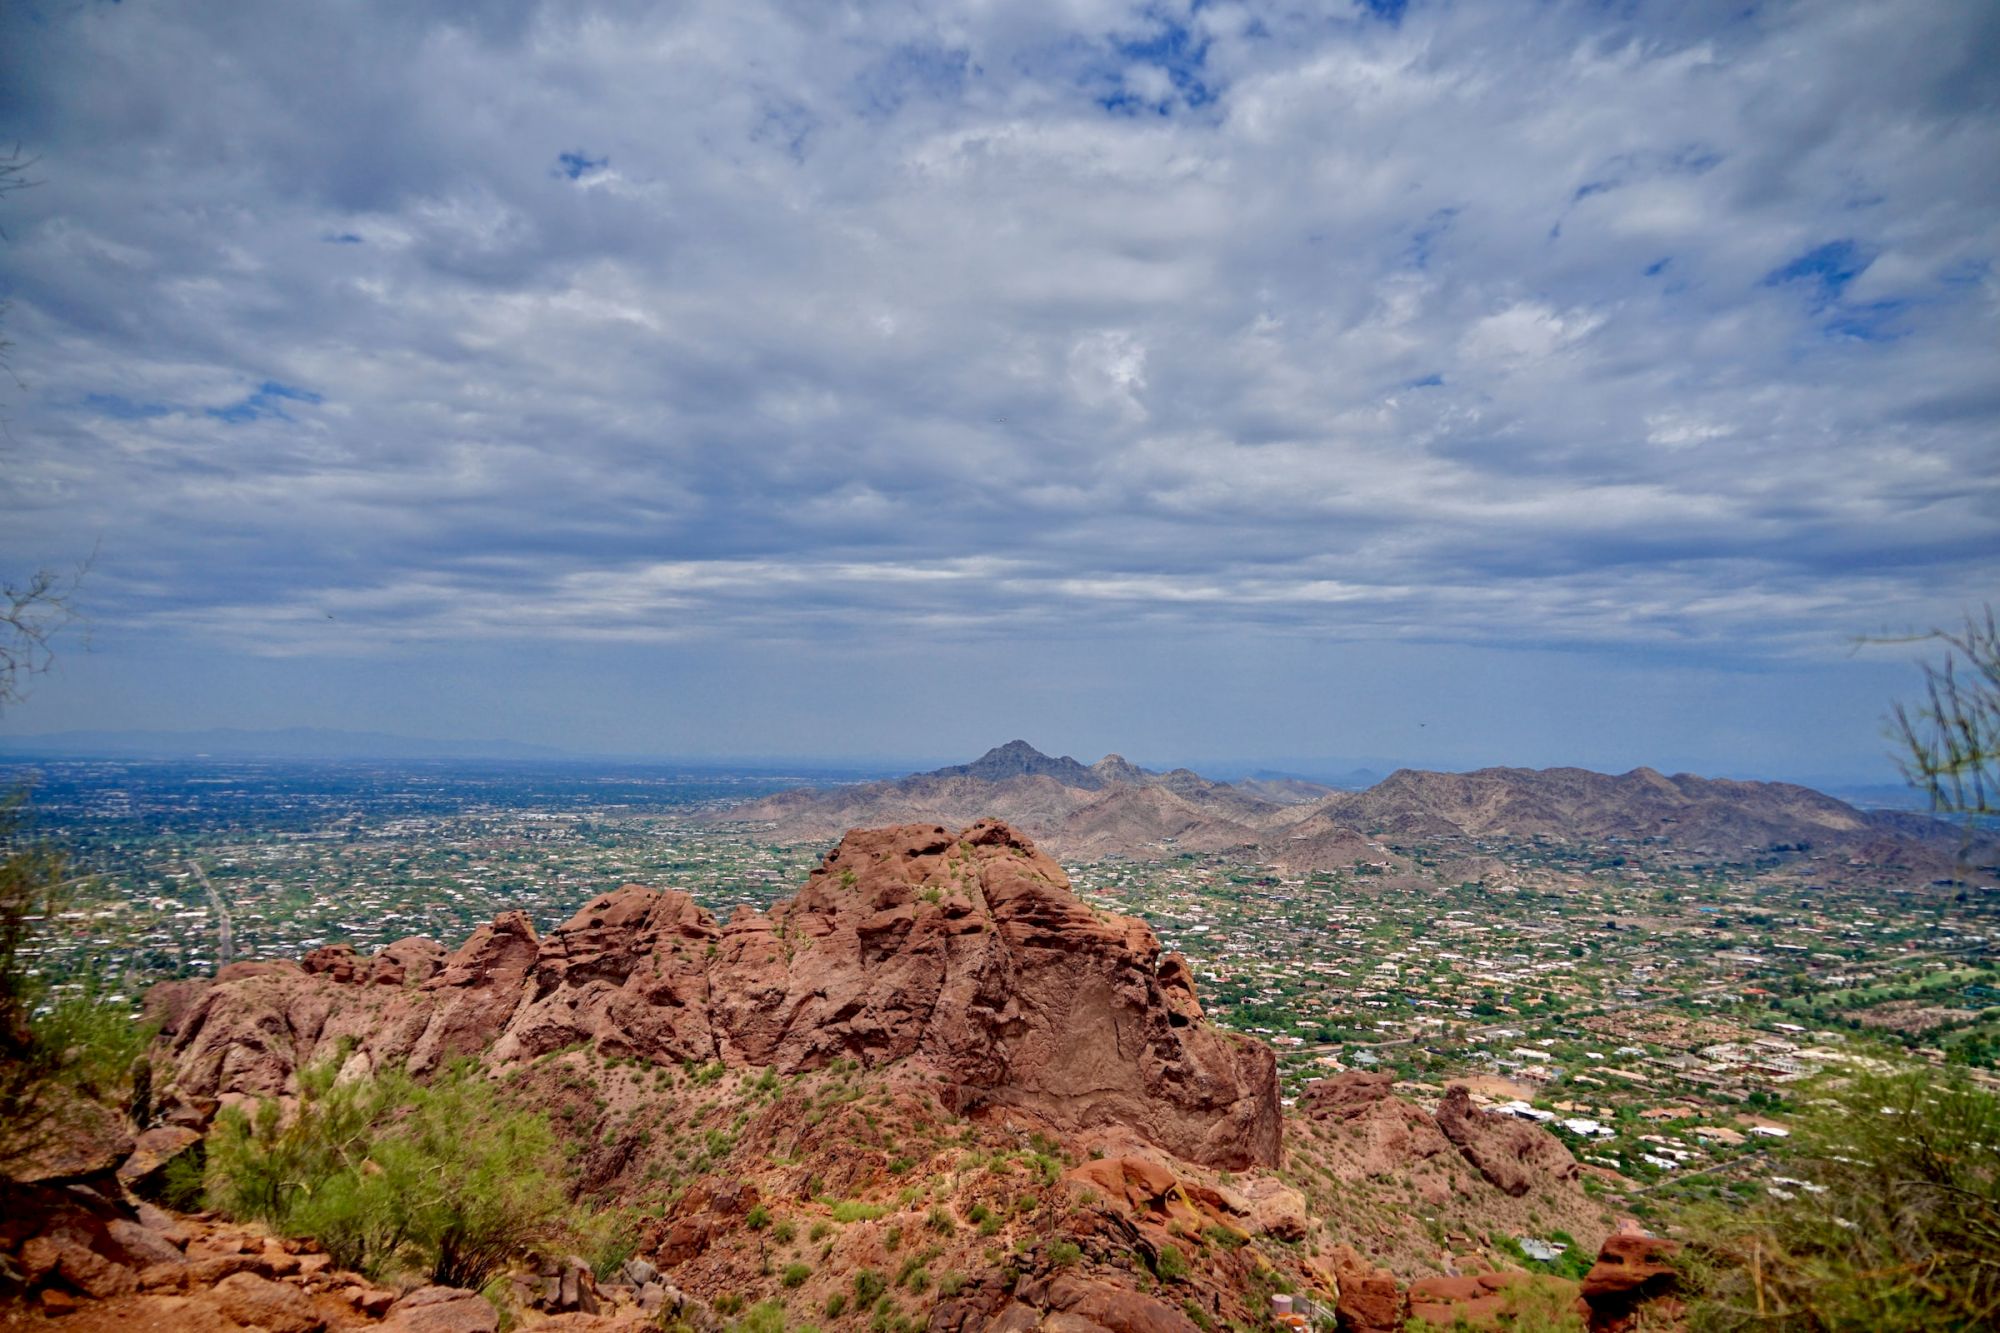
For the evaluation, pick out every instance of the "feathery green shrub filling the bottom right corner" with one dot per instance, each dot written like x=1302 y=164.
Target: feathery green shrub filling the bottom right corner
x=1899 y=1232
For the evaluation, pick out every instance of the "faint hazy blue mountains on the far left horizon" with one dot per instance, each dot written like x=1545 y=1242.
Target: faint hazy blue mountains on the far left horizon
x=287 y=744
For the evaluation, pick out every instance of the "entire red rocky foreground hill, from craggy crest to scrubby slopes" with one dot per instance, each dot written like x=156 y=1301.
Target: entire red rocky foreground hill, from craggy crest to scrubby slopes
x=933 y=1090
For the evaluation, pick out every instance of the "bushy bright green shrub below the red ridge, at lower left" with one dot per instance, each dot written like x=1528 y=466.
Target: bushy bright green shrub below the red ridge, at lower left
x=393 y=1172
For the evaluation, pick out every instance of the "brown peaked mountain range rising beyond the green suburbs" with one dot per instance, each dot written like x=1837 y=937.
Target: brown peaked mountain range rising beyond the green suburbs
x=1115 y=808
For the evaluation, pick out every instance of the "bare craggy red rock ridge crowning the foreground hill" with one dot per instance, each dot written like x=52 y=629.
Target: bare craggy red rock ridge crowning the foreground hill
x=963 y=954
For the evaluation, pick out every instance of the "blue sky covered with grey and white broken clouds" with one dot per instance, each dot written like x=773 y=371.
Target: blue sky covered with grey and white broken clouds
x=1451 y=383
